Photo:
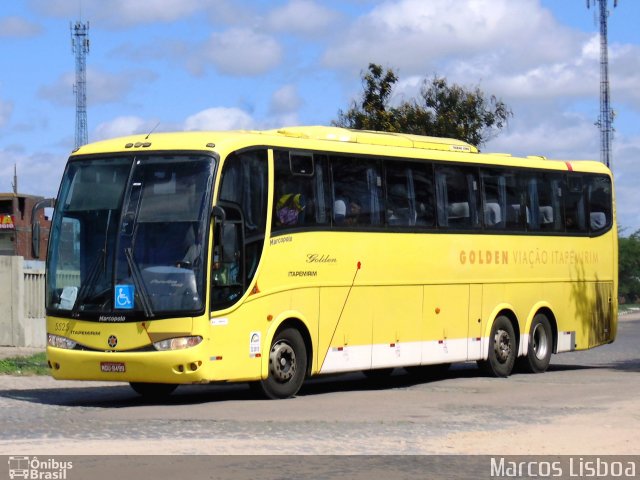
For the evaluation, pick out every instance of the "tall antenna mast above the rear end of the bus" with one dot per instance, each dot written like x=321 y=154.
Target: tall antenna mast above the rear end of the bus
x=605 y=119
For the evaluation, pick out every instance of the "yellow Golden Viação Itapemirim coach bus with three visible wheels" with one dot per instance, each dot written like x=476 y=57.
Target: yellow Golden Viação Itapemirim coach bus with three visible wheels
x=272 y=256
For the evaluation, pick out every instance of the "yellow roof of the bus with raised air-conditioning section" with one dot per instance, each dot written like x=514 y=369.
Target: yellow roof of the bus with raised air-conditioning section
x=320 y=138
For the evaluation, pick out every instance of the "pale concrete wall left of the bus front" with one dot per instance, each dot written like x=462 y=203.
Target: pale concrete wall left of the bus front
x=22 y=314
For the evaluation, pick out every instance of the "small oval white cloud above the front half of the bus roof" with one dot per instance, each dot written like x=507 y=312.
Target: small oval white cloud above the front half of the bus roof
x=241 y=51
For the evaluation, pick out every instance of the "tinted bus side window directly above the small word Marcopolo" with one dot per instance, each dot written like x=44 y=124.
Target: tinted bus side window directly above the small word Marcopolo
x=357 y=192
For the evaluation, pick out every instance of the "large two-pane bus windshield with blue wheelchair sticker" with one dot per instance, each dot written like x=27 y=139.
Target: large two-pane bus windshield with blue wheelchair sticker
x=129 y=236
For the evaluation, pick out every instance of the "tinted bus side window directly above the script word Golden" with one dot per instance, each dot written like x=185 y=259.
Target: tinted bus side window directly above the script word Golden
x=410 y=197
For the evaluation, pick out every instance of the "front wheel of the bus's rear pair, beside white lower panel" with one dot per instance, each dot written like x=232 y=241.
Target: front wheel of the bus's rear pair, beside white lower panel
x=502 y=349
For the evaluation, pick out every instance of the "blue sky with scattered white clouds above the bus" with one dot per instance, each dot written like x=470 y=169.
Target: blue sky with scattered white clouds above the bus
x=226 y=64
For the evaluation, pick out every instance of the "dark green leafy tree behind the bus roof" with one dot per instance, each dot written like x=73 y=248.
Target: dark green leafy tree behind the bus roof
x=441 y=110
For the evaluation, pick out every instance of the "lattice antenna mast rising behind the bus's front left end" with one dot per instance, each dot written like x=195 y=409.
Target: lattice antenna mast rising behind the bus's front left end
x=80 y=48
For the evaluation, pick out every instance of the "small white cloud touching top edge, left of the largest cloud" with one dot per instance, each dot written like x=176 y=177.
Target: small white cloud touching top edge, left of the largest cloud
x=303 y=17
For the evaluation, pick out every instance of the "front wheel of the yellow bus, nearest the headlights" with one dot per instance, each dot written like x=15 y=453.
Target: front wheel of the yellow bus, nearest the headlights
x=287 y=365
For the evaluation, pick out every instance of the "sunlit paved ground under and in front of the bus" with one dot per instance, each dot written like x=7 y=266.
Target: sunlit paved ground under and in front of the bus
x=584 y=405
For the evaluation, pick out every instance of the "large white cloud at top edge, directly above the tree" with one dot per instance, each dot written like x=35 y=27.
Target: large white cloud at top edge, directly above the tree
x=414 y=35
